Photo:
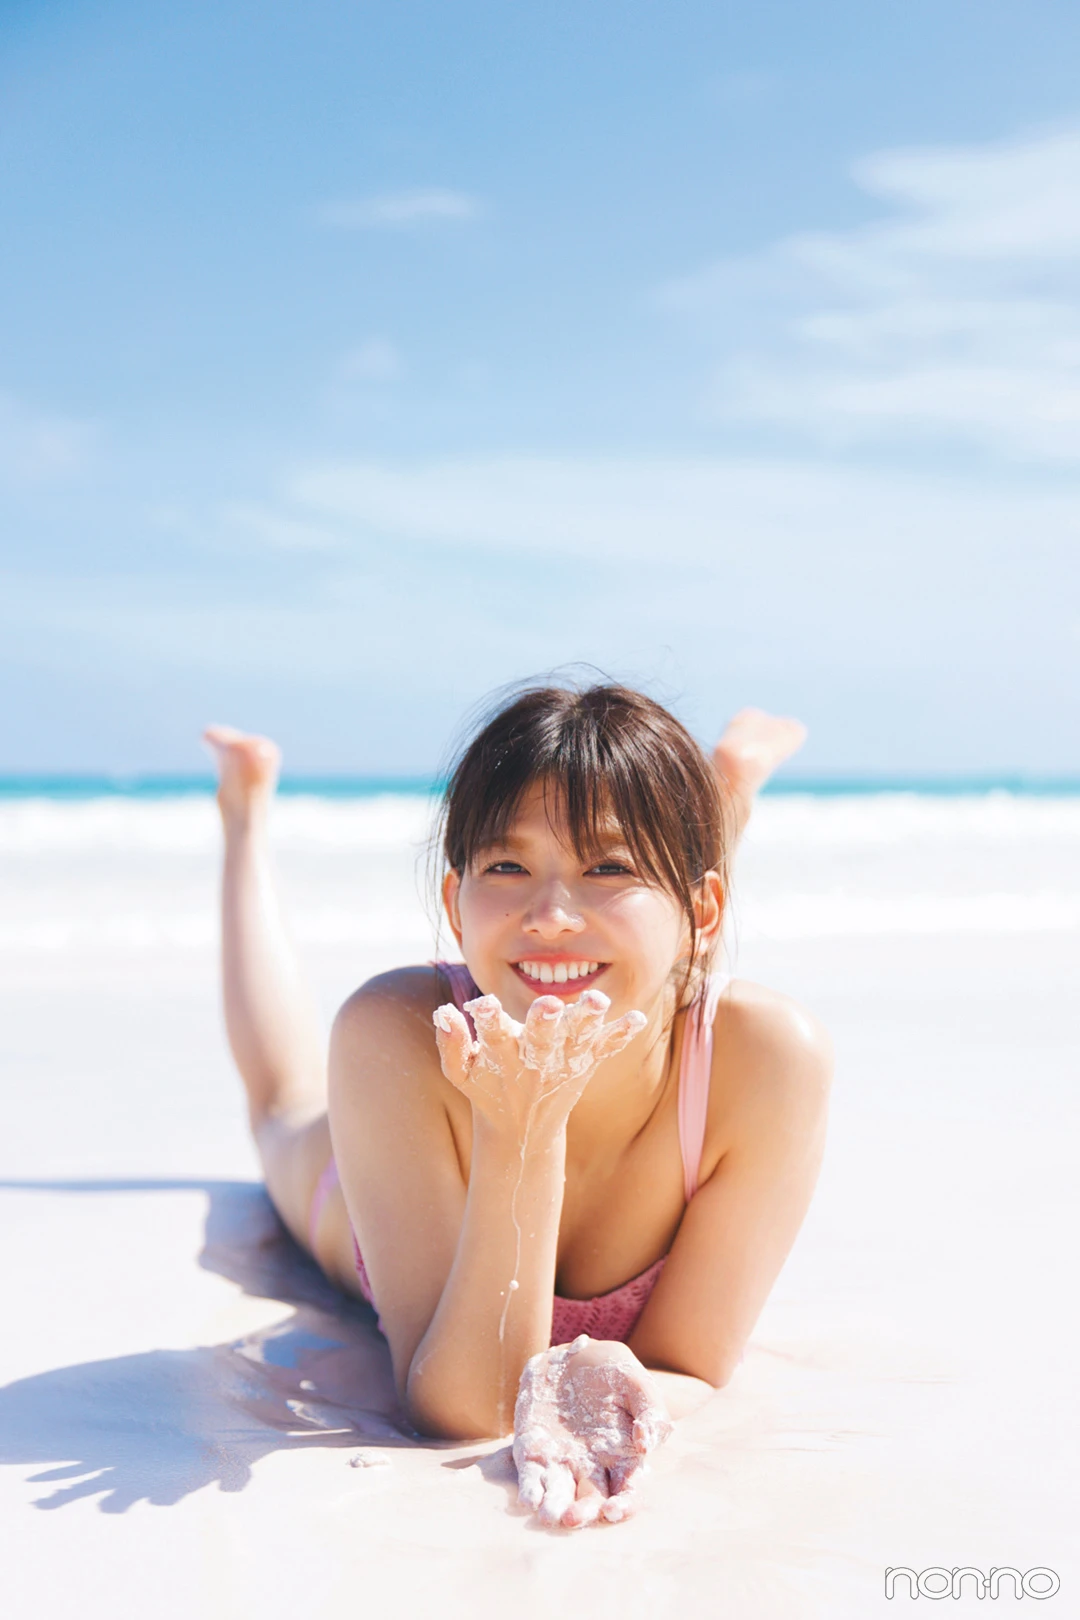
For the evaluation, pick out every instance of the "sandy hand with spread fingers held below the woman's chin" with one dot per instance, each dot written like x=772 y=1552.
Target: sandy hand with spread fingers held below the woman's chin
x=516 y=1075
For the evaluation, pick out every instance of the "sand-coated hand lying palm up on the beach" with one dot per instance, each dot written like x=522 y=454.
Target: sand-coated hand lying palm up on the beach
x=587 y=1418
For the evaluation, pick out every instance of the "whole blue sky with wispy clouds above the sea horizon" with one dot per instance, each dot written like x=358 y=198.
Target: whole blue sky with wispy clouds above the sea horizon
x=357 y=360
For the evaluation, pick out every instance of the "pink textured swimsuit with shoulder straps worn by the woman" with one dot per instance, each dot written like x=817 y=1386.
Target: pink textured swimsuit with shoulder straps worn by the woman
x=613 y=1315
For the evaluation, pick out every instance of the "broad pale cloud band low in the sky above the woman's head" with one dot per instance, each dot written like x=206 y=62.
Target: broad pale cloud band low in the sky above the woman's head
x=747 y=569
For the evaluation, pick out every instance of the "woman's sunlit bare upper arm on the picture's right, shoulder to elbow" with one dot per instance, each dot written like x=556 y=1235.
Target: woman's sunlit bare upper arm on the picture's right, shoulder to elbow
x=744 y=1221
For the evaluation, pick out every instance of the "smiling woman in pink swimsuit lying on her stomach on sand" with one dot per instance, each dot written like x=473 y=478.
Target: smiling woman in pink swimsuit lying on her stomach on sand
x=569 y=1198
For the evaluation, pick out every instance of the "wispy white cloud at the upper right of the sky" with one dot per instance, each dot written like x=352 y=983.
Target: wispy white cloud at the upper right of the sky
x=956 y=318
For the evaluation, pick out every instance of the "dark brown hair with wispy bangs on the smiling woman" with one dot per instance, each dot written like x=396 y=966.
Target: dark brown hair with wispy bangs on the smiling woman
x=602 y=751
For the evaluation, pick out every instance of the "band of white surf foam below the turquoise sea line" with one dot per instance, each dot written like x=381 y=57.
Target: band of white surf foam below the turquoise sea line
x=992 y=866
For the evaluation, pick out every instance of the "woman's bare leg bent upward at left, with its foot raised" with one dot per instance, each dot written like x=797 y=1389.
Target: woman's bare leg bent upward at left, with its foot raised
x=270 y=1017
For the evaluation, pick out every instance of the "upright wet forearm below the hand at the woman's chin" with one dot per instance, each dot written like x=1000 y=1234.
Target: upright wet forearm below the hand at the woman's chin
x=466 y=1373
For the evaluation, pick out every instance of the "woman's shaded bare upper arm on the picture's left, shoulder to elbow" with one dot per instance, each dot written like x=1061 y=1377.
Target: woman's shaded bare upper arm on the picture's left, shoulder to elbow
x=396 y=1156
